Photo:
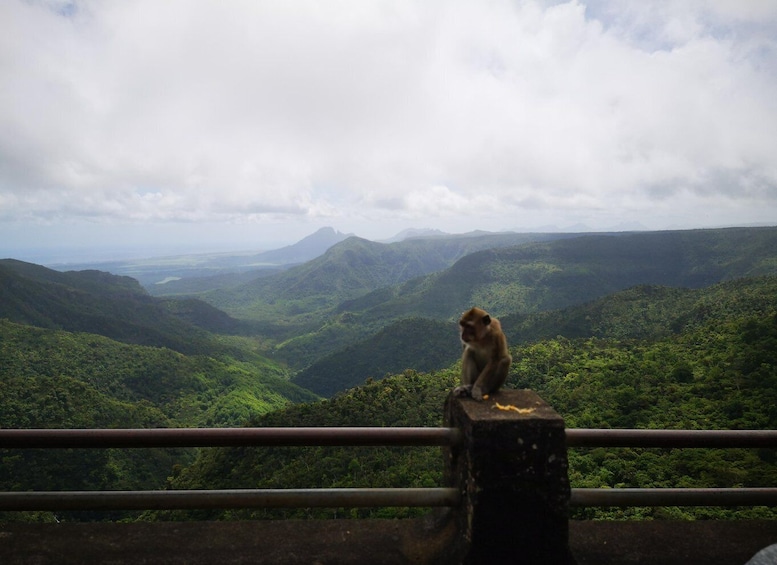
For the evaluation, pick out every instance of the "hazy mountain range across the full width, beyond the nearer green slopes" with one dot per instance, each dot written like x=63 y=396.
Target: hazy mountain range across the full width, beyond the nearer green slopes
x=357 y=293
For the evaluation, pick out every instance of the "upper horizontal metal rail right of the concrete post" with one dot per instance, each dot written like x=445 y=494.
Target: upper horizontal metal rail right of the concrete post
x=582 y=437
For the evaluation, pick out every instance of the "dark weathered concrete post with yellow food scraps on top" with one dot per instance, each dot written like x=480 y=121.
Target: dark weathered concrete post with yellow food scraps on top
x=512 y=471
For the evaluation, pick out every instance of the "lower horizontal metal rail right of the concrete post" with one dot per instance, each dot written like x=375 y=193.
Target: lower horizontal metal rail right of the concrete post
x=584 y=497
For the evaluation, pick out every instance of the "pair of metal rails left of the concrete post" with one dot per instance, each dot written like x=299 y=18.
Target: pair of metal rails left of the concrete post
x=228 y=498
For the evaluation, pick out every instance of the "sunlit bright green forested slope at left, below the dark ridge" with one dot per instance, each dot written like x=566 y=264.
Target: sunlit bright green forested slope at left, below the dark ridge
x=58 y=379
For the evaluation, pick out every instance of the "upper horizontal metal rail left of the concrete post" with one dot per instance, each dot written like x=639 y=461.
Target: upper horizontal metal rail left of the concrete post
x=226 y=437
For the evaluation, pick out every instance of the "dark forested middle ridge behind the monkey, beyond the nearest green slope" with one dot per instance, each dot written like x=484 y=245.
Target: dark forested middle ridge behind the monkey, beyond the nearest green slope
x=639 y=312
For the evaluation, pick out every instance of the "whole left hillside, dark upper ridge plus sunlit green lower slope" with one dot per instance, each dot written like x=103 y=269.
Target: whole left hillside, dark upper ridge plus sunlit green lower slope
x=182 y=375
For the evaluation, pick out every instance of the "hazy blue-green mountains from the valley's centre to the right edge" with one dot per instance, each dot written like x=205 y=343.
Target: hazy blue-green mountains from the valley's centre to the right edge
x=357 y=288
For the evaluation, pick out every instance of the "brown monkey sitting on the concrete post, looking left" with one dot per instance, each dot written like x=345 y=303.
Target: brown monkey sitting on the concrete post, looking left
x=486 y=359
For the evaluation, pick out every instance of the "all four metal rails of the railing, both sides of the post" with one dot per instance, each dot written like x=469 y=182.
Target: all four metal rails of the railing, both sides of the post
x=401 y=497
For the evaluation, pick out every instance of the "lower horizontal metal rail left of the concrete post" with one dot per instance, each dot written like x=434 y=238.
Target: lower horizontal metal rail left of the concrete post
x=235 y=498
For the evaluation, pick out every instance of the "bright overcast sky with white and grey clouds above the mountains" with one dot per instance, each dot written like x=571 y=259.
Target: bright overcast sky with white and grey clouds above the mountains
x=246 y=124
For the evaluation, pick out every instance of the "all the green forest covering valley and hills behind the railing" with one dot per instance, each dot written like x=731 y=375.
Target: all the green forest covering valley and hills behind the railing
x=671 y=330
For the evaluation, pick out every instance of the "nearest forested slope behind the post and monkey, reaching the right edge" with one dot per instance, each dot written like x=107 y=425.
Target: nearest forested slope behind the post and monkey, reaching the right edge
x=718 y=374
